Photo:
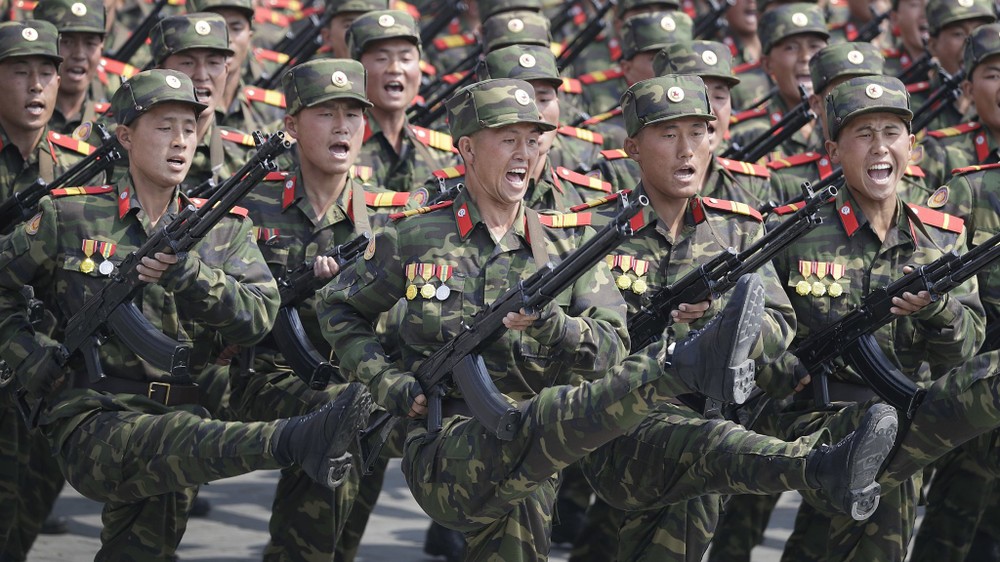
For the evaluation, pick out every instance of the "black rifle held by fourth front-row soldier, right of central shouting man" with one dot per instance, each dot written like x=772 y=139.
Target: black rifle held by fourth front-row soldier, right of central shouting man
x=719 y=274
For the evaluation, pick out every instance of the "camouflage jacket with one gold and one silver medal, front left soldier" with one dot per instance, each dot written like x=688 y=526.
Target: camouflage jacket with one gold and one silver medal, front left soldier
x=221 y=292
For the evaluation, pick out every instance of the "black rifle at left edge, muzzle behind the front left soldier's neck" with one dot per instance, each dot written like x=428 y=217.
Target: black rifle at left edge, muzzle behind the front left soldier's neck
x=20 y=206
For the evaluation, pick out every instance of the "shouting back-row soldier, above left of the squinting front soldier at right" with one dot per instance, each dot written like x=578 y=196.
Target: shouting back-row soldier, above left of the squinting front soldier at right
x=790 y=35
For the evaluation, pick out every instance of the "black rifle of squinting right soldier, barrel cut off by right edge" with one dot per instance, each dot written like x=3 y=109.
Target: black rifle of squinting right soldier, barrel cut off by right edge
x=852 y=336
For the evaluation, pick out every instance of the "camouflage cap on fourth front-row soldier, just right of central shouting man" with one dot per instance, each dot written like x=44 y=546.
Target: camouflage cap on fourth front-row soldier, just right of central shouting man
x=664 y=98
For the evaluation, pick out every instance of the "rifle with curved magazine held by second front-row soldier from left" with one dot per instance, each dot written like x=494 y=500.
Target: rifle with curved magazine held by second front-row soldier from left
x=289 y=334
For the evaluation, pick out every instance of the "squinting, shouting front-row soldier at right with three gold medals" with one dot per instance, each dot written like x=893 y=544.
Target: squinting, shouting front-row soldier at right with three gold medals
x=869 y=224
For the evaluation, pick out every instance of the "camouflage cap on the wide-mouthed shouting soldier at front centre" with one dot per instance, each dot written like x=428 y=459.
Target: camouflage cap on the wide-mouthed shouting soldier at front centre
x=491 y=104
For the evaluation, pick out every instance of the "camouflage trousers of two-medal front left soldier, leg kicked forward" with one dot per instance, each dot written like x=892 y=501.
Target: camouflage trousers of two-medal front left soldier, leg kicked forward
x=144 y=466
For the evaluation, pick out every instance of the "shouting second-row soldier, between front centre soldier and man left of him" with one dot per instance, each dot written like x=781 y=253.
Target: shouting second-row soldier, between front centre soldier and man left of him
x=387 y=42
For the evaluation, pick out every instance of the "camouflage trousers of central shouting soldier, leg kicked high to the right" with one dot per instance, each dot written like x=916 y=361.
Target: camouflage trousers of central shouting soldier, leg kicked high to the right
x=501 y=493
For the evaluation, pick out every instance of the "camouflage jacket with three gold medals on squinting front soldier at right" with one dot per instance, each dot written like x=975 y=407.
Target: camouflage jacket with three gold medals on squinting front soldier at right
x=828 y=271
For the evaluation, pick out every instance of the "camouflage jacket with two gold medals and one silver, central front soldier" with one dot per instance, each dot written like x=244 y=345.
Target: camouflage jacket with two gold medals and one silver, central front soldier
x=447 y=266
